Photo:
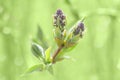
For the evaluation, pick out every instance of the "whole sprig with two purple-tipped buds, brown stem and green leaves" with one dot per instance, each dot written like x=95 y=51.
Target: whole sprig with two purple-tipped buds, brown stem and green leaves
x=66 y=40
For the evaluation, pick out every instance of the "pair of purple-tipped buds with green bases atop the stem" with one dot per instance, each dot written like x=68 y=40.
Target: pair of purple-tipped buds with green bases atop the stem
x=61 y=36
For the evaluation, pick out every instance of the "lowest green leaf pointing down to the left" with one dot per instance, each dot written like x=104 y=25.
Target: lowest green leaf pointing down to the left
x=39 y=67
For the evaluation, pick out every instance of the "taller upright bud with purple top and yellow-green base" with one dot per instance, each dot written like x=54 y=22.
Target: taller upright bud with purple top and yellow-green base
x=59 y=23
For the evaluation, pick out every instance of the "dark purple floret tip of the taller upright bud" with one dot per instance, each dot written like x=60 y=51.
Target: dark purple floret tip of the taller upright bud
x=59 y=19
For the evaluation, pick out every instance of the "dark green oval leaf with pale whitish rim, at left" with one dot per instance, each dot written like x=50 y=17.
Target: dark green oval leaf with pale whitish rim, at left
x=37 y=51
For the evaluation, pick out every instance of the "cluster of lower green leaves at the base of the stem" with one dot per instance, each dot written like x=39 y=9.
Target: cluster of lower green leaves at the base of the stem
x=39 y=53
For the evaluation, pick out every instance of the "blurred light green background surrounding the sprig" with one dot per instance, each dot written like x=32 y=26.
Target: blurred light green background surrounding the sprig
x=96 y=57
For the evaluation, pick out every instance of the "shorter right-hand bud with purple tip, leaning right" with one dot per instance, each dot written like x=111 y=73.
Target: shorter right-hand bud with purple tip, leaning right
x=74 y=35
